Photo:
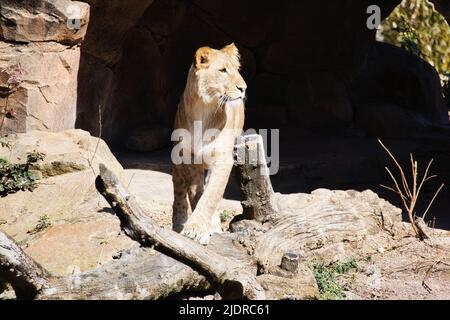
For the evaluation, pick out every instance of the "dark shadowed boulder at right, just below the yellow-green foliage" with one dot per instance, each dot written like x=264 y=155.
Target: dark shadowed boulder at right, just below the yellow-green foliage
x=391 y=75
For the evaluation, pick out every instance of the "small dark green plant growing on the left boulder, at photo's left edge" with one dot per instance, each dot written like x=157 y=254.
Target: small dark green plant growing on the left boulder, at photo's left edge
x=18 y=177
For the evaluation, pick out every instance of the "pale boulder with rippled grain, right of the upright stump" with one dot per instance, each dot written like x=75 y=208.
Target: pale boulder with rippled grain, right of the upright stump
x=326 y=224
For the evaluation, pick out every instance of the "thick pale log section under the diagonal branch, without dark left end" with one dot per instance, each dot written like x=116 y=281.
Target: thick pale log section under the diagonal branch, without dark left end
x=138 y=274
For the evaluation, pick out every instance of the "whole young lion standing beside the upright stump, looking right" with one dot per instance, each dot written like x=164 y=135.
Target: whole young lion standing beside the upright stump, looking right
x=214 y=98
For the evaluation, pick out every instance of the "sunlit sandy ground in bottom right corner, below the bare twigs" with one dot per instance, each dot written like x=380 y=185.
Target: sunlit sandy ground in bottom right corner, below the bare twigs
x=404 y=269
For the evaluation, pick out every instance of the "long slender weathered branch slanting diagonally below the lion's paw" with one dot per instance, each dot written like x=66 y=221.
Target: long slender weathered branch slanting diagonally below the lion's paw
x=232 y=279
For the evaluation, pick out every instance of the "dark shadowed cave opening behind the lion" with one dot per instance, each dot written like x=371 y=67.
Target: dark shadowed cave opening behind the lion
x=329 y=87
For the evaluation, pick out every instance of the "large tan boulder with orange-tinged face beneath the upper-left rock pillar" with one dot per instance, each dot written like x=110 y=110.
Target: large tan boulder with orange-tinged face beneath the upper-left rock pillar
x=82 y=233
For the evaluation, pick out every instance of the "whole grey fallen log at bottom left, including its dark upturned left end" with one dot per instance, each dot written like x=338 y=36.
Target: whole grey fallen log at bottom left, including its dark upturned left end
x=138 y=274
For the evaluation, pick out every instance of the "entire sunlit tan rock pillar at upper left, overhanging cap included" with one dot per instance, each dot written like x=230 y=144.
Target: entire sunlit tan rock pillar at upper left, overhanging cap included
x=39 y=62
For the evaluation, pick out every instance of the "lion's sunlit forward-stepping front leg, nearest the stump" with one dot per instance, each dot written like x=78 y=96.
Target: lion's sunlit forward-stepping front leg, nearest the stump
x=200 y=225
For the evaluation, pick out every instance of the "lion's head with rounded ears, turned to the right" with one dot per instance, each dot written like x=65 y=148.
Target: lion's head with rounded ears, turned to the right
x=215 y=75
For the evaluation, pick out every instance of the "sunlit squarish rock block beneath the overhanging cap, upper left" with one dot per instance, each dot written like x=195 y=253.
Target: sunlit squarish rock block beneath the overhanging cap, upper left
x=46 y=96
